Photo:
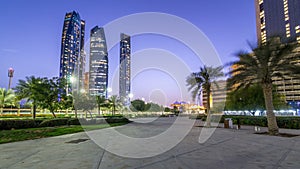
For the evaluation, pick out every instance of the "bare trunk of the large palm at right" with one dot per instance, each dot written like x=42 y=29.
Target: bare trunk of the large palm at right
x=272 y=123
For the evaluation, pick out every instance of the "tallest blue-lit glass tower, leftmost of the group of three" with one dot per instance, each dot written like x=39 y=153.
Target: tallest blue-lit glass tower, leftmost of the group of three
x=72 y=58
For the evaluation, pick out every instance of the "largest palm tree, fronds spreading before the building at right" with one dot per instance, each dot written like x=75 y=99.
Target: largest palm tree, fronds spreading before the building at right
x=266 y=62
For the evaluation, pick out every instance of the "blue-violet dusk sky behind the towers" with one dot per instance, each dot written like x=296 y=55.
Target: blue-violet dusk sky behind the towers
x=30 y=39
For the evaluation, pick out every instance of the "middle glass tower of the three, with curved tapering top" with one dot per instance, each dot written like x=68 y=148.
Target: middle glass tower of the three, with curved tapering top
x=98 y=75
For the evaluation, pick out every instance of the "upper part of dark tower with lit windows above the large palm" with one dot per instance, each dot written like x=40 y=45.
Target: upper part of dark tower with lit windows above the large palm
x=278 y=18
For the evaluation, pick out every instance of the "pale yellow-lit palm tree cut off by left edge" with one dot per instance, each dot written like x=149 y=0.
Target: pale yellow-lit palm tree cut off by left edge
x=7 y=98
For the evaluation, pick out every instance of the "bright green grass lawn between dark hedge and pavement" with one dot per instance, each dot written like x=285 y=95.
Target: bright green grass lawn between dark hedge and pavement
x=7 y=136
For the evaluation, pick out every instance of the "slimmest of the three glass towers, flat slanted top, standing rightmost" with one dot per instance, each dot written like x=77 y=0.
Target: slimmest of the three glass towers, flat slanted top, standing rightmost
x=125 y=70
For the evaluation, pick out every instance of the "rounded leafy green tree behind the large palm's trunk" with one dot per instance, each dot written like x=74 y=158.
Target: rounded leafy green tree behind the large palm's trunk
x=252 y=98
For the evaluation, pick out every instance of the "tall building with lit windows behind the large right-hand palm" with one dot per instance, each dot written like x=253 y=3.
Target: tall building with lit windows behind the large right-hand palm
x=280 y=18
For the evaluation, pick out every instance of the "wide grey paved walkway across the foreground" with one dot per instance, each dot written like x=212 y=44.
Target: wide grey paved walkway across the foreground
x=226 y=148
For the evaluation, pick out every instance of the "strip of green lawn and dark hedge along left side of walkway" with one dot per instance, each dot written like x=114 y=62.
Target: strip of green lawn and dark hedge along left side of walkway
x=19 y=129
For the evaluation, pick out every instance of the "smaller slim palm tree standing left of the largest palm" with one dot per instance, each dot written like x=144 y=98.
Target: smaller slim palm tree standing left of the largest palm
x=203 y=80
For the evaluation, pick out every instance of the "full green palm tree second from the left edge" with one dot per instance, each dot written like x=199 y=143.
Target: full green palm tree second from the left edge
x=32 y=90
